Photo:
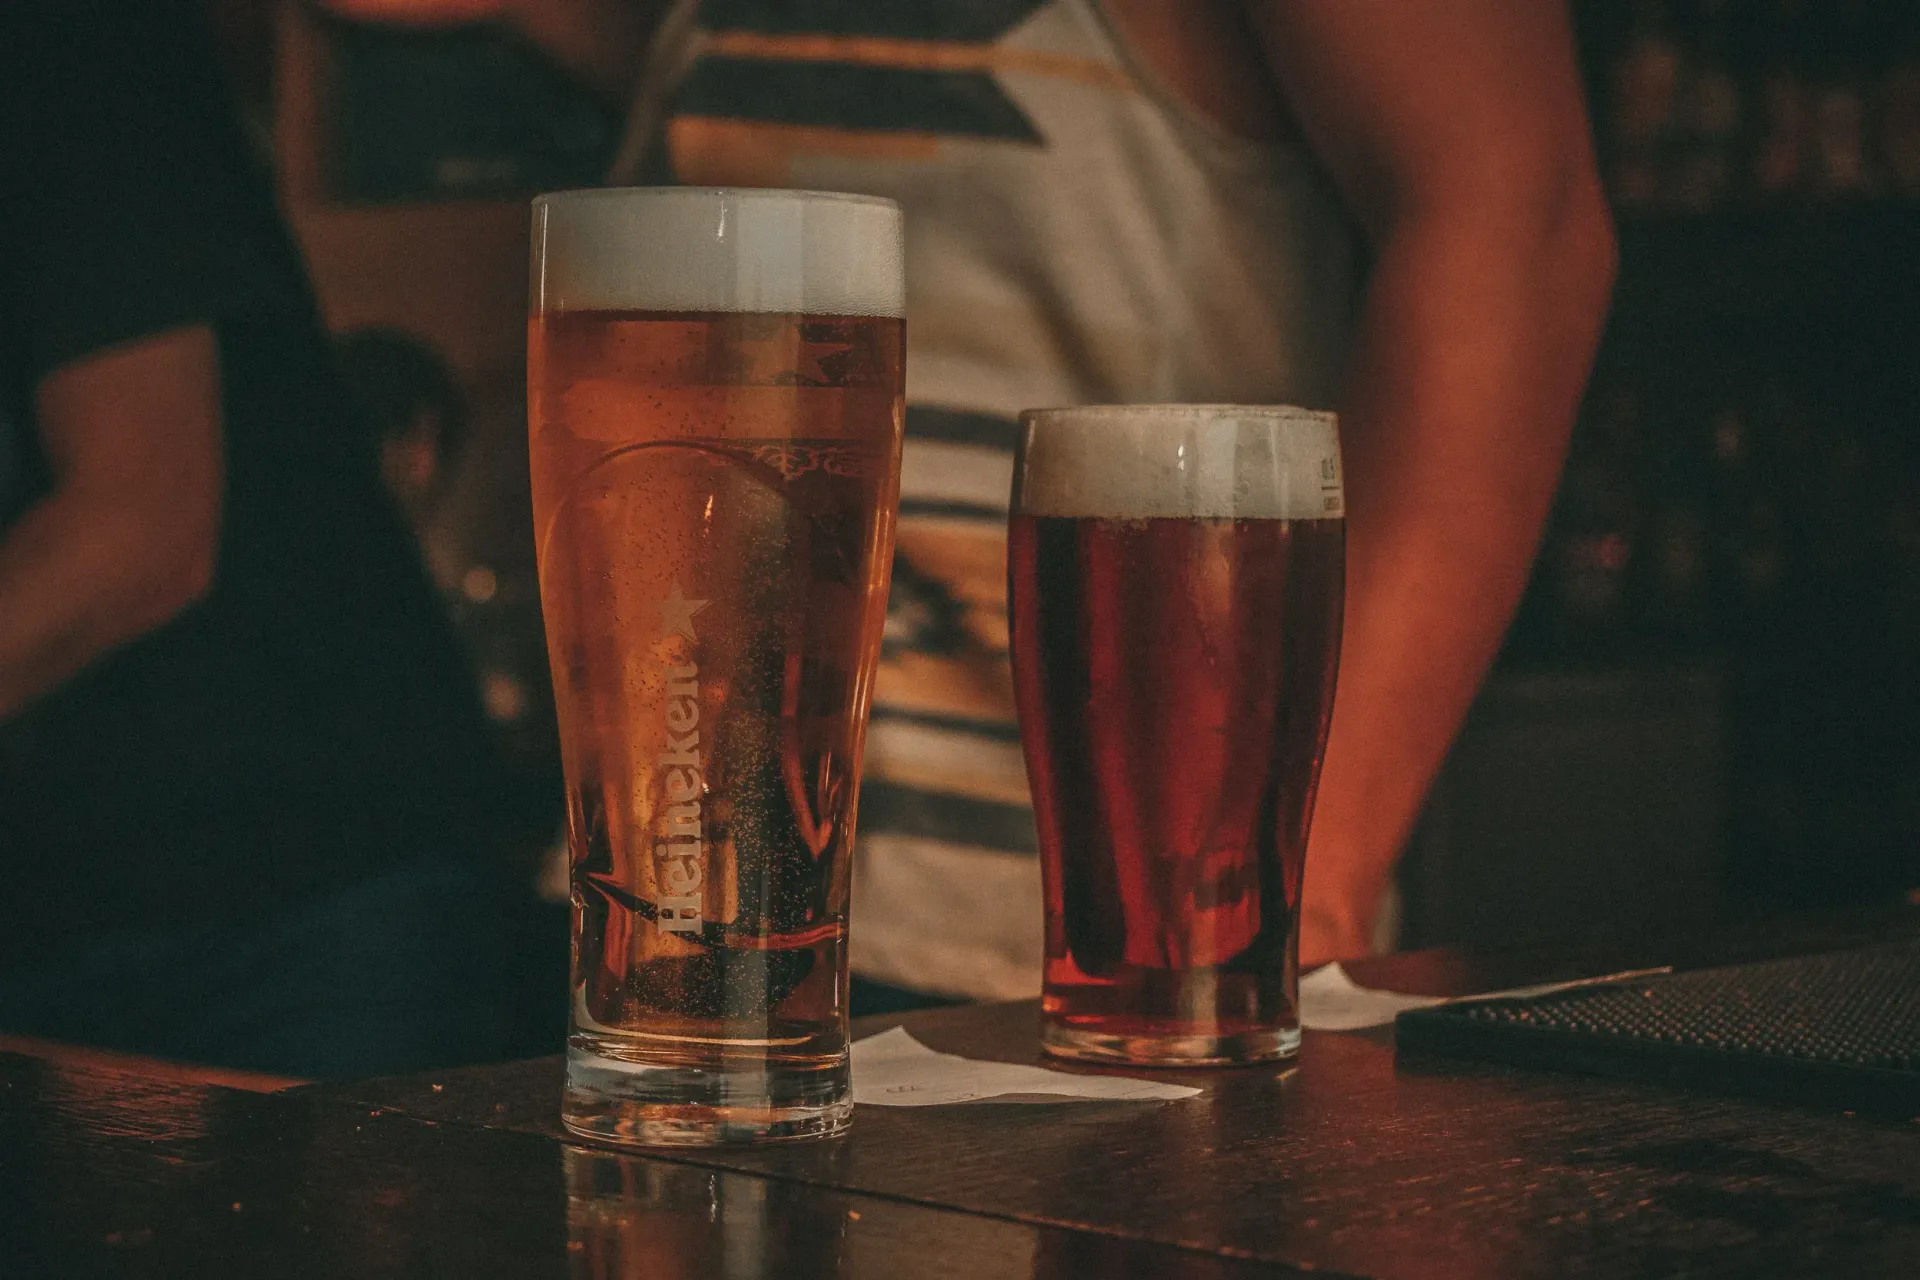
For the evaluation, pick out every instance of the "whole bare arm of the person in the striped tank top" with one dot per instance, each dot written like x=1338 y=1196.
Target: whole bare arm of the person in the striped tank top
x=1458 y=135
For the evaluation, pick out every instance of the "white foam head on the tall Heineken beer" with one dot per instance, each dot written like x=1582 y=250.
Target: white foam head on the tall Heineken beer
x=692 y=249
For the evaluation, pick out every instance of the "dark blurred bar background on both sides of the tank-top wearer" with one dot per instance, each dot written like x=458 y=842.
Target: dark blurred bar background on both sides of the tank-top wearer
x=1710 y=699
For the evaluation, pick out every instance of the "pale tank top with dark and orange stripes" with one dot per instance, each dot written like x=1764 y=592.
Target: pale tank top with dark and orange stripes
x=1074 y=235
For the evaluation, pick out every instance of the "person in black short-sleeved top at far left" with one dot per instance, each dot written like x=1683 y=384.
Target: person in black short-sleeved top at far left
x=241 y=757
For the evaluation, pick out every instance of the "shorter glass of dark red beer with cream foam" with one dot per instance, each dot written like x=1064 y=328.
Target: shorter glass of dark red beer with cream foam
x=1178 y=575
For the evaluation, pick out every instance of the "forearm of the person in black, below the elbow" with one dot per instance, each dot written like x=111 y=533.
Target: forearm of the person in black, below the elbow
x=76 y=586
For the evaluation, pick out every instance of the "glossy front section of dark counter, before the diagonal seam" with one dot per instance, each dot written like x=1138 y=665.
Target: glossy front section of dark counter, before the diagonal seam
x=112 y=1173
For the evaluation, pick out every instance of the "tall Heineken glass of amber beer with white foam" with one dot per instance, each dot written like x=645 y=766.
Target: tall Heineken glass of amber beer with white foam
x=715 y=406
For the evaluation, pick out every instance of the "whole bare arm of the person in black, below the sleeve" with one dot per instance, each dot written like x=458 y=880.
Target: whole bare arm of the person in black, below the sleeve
x=130 y=534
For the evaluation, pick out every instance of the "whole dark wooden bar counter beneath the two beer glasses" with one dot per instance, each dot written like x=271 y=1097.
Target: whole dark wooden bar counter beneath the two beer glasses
x=1351 y=1166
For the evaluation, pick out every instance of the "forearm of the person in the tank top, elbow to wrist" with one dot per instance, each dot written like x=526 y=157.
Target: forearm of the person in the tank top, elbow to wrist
x=1472 y=354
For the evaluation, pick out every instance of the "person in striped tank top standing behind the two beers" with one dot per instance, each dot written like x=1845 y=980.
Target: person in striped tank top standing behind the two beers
x=1374 y=206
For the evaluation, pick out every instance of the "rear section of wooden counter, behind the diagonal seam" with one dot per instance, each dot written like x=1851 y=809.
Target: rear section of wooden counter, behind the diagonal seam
x=1358 y=1166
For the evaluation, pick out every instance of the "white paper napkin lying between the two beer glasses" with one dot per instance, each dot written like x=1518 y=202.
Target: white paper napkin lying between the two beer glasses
x=894 y=1070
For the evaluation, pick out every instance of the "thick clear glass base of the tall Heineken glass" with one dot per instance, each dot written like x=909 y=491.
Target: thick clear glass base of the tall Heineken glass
x=633 y=1104
